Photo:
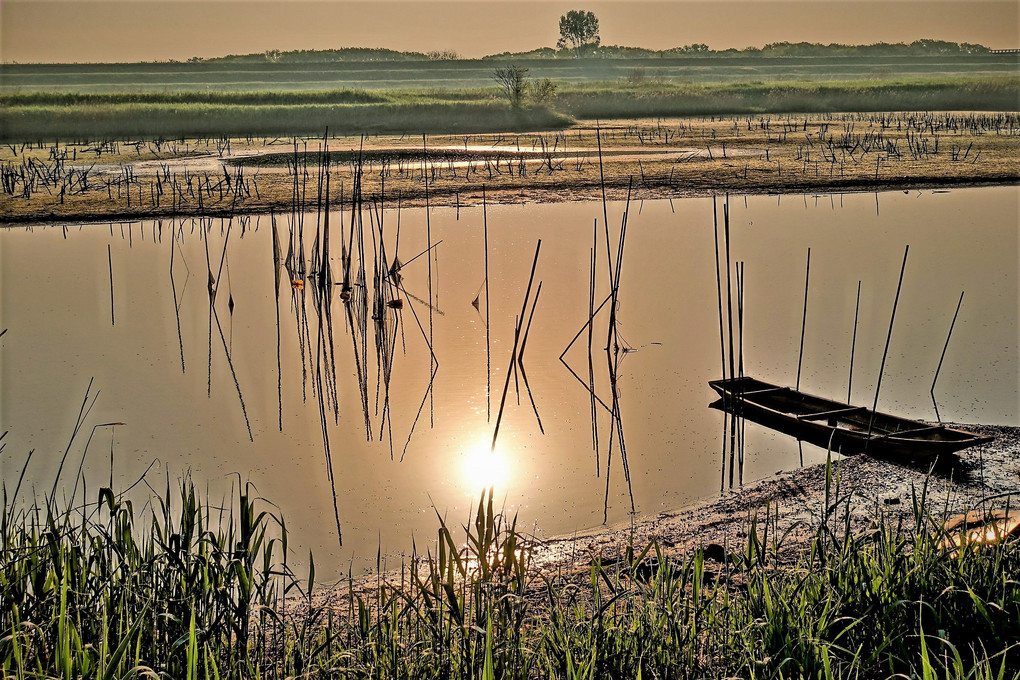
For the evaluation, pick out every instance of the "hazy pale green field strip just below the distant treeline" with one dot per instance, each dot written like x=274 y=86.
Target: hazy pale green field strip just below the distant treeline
x=322 y=74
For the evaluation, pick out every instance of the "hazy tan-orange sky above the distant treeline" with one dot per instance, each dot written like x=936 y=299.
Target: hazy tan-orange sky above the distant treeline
x=63 y=31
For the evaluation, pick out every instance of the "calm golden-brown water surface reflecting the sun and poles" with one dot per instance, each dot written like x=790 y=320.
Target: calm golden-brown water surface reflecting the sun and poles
x=189 y=381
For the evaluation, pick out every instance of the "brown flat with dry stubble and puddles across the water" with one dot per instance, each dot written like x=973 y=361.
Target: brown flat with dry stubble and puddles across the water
x=655 y=159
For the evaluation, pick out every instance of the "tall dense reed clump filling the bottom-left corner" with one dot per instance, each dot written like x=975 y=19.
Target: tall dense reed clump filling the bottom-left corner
x=98 y=592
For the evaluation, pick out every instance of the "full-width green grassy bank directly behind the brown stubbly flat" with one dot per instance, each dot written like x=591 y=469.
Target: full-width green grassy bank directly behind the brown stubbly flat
x=41 y=116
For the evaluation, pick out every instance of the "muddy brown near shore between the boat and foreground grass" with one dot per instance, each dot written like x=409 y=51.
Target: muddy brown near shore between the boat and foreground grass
x=984 y=478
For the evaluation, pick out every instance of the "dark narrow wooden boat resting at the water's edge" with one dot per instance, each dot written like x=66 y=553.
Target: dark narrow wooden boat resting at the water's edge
x=834 y=426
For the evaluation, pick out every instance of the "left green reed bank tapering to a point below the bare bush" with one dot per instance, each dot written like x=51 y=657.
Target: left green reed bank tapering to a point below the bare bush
x=160 y=117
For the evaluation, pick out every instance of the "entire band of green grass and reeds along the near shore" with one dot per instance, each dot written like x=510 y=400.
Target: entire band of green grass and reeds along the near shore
x=202 y=593
